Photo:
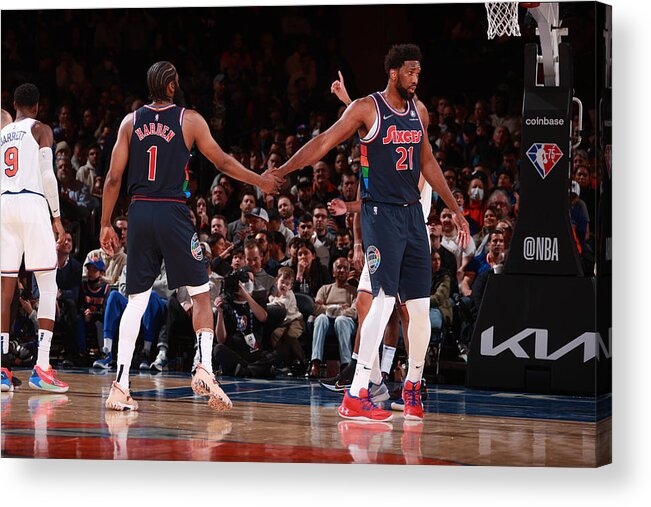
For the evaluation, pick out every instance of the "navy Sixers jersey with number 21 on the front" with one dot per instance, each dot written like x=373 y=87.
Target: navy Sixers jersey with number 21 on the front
x=390 y=154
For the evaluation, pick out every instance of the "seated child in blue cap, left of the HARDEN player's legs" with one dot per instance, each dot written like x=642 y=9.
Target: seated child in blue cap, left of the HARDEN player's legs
x=92 y=301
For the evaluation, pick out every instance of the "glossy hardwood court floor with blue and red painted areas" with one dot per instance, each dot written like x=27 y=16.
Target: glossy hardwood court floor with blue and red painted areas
x=296 y=421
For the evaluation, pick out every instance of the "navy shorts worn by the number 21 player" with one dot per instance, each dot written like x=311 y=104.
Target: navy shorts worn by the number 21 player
x=397 y=249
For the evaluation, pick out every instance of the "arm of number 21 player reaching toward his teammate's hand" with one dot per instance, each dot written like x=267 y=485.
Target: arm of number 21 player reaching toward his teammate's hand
x=355 y=116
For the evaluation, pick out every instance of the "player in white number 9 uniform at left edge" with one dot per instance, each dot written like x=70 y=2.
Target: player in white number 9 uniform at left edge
x=28 y=187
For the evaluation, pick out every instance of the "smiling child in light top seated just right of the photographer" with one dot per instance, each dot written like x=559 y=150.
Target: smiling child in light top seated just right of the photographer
x=285 y=338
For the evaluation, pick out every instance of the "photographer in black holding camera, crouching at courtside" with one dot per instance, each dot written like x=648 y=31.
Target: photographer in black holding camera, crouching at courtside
x=238 y=330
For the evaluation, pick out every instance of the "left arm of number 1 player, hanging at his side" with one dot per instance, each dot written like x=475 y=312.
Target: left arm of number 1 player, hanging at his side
x=119 y=158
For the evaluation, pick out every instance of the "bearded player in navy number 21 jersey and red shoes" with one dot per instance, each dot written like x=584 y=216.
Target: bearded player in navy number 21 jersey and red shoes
x=395 y=151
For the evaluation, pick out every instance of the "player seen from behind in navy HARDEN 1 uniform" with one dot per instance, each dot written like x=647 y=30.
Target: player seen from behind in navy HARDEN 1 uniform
x=156 y=140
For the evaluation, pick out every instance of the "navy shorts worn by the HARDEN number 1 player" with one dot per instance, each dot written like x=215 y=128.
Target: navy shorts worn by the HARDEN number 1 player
x=160 y=231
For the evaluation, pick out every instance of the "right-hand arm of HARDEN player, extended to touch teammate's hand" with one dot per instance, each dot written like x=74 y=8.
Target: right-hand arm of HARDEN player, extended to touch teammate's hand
x=198 y=131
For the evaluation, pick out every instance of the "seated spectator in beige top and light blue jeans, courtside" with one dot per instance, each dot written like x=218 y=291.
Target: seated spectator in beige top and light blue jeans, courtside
x=334 y=311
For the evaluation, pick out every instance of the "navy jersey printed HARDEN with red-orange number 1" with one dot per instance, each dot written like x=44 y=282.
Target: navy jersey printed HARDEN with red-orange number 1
x=158 y=156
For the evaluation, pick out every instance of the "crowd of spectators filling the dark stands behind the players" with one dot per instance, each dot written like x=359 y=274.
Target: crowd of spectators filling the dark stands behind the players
x=282 y=276
